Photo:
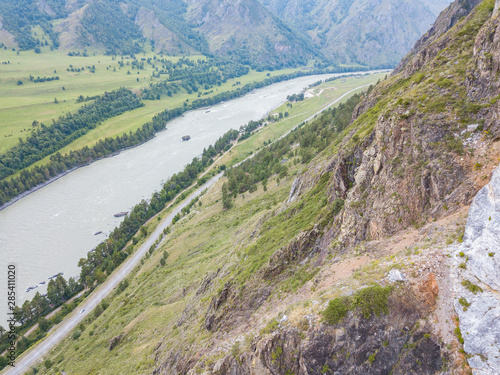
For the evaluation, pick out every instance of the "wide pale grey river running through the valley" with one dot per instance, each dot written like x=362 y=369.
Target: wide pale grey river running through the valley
x=48 y=231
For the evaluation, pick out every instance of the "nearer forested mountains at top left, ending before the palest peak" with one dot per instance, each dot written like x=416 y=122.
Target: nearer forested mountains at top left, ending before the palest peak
x=243 y=31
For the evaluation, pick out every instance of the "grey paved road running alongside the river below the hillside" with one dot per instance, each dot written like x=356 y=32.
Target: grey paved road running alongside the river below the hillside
x=29 y=358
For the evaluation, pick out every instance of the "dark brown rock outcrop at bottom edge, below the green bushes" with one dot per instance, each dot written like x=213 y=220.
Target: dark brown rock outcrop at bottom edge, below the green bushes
x=392 y=343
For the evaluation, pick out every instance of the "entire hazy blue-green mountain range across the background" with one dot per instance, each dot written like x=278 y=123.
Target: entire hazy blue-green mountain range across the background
x=262 y=33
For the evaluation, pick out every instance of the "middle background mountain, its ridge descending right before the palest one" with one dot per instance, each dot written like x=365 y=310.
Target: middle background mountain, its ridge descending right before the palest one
x=247 y=30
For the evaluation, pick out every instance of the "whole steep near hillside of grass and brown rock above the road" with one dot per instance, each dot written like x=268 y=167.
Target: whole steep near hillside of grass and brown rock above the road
x=341 y=268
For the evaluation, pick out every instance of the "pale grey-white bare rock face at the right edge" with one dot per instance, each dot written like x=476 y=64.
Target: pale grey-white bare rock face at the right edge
x=479 y=309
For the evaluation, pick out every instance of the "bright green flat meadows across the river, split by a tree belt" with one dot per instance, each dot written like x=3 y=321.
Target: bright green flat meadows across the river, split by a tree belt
x=20 y=105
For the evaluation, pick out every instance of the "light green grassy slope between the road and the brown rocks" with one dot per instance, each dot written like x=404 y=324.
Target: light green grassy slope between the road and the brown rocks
x=147 y=310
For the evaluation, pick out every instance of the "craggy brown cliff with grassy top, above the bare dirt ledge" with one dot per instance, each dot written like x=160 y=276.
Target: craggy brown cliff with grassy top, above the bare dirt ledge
x=409 y=153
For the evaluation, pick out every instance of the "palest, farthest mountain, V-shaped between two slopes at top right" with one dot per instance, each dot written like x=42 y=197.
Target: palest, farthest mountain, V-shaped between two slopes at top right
x=371 y=32
